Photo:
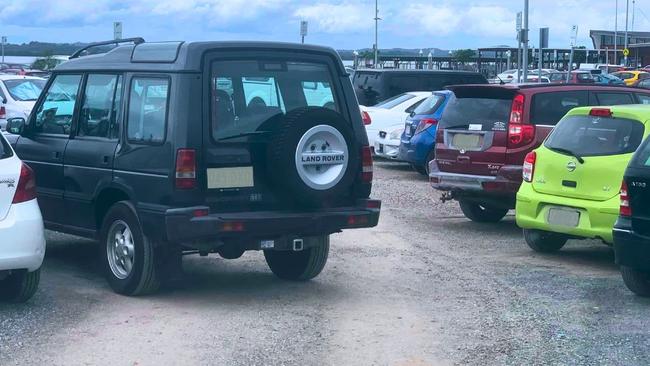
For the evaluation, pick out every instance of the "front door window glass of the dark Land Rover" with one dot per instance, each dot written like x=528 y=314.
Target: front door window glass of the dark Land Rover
x=54 y=115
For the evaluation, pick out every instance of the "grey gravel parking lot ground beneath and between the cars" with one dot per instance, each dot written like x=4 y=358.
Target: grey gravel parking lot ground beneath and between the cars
x=426 y=287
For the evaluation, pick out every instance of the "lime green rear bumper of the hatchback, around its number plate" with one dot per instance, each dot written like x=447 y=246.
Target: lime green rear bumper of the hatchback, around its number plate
x=596 y=217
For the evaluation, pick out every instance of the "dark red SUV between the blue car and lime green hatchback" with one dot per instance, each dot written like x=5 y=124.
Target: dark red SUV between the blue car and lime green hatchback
x=487 y=130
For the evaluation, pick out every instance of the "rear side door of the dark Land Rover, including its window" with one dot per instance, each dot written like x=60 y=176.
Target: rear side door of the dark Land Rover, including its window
x=88 y=161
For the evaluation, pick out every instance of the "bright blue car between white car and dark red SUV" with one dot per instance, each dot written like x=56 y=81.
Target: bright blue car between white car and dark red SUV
x=418 y=141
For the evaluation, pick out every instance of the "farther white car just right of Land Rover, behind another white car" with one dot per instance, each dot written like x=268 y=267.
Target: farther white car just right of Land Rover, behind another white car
x=390 y=112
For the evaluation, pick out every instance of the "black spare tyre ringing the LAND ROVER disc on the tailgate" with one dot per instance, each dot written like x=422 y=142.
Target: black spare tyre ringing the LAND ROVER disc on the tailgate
x=281 y=165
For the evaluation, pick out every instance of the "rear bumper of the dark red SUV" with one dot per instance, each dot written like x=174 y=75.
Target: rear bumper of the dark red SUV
x=507 y=181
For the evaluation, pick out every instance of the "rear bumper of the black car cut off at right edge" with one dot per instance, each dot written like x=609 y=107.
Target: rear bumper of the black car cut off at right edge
x=631 y=248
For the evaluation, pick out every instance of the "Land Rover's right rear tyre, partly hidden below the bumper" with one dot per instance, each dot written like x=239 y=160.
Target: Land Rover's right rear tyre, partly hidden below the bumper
x=303 y=265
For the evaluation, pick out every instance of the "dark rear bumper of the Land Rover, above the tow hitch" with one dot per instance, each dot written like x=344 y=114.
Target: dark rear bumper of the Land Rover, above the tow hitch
x=183 y=226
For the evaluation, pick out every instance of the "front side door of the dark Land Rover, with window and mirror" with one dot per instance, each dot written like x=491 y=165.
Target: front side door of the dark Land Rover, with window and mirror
x=44 y=140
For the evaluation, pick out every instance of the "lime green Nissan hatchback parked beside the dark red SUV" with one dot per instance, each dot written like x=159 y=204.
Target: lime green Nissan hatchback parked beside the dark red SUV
x=571 y=182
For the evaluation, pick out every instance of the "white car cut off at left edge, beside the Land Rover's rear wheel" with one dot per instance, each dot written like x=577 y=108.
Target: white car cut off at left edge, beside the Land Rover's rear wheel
x=22 y=239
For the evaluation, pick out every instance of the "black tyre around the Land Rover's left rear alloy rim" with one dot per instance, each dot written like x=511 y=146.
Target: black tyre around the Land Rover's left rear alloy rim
x=144 y=277
